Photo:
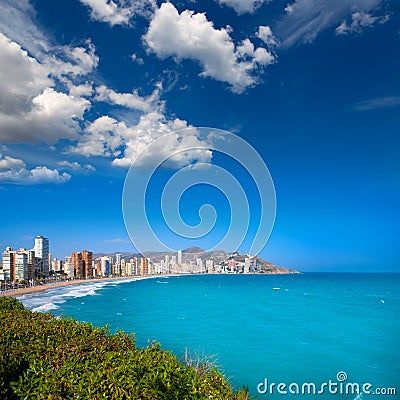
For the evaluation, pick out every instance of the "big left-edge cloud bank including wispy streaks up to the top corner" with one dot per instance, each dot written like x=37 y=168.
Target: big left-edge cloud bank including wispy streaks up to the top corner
x=32 y=67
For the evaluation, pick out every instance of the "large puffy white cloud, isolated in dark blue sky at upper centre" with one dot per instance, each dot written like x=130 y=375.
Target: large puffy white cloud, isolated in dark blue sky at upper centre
x=192 y=36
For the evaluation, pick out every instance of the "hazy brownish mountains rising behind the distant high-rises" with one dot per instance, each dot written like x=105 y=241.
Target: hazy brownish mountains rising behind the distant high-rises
x=192 y=253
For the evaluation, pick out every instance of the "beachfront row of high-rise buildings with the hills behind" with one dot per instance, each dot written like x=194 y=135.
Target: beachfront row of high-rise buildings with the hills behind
x=37 y=266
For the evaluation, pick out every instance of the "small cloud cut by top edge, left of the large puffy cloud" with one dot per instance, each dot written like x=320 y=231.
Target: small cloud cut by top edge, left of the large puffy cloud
x=117 y=12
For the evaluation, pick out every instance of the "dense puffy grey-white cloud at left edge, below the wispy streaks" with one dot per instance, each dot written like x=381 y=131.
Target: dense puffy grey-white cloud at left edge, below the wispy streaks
x=30 y=109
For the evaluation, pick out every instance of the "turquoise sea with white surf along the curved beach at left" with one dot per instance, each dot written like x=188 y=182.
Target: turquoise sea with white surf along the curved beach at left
x=262 y=329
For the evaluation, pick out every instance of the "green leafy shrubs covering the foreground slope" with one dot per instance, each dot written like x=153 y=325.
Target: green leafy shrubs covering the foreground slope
x=42 y=357
